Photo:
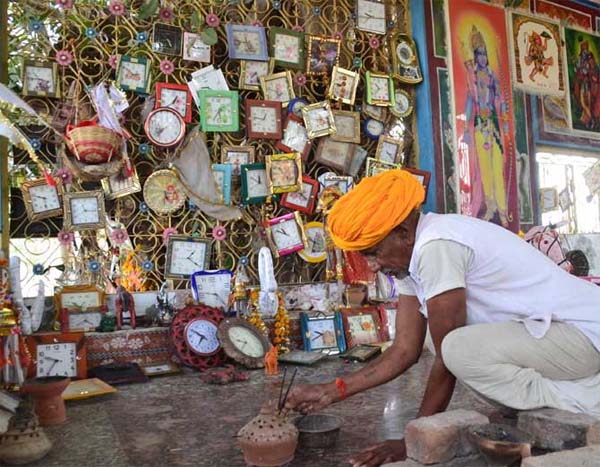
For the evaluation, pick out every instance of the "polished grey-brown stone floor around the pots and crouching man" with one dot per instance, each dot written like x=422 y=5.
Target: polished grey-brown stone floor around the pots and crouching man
x=180 y=421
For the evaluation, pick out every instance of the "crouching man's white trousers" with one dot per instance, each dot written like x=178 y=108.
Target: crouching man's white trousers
x=504 y=363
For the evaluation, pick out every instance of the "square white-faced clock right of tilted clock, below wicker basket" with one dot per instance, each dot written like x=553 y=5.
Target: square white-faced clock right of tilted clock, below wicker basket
x=84 y=210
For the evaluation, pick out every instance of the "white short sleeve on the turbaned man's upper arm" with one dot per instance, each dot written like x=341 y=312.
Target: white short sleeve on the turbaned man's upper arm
x=443 y=266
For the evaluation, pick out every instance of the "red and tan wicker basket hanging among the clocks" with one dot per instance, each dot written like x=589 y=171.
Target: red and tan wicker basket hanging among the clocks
x=91 y=143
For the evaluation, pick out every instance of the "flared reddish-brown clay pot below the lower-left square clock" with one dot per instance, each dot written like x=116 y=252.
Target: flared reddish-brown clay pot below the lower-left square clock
x=47 y=401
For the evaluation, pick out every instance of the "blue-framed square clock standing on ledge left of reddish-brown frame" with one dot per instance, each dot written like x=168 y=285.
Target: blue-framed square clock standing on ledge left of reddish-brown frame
x=323 y=333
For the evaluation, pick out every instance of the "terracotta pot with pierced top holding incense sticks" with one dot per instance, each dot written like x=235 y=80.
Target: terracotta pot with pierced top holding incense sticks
x=268 y=440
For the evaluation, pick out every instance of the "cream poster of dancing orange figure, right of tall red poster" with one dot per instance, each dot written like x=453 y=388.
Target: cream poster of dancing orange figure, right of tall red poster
x=536 y=54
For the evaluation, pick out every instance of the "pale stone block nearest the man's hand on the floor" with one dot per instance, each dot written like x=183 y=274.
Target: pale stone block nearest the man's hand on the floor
x=441 y=437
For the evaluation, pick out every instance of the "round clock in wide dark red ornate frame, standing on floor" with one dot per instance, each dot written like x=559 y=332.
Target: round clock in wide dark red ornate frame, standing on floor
x=194 y=336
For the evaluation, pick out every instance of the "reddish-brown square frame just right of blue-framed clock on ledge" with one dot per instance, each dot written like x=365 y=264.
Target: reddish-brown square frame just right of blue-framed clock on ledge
x=362 y=326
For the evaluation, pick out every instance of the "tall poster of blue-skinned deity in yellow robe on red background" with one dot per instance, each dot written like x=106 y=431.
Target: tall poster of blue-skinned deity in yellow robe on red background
x=483 y=113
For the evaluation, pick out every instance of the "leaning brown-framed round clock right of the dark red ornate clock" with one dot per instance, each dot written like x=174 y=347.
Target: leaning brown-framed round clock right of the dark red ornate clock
x=243 y=342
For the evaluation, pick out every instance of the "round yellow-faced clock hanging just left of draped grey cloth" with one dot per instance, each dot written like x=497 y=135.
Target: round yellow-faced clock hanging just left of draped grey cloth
x=163 y=192
